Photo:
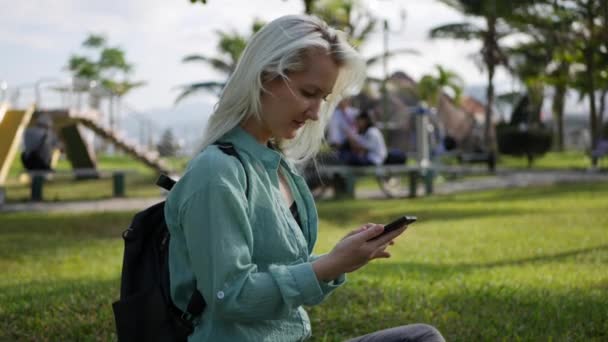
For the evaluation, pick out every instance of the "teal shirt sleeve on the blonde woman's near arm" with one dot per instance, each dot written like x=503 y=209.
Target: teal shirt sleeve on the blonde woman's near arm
x=219 y=240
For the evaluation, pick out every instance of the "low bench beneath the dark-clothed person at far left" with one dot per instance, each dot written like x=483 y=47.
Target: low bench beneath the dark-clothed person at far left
x=38 y=178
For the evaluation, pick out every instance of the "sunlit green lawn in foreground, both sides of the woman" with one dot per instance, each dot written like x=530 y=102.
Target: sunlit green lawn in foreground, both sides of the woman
x=521 y=264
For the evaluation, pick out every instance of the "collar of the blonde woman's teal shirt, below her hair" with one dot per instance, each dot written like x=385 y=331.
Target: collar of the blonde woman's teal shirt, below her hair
x=243 y=140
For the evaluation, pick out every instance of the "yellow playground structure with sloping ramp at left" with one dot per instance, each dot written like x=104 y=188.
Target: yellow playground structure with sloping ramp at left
x=71 y=122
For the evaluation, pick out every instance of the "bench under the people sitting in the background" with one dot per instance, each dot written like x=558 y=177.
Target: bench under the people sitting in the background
x=342 y=179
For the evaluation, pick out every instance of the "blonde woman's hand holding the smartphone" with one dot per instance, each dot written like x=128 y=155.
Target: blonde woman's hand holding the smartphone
x=354 y=251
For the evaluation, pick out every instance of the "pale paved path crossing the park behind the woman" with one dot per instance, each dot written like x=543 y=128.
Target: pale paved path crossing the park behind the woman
x=503 y=179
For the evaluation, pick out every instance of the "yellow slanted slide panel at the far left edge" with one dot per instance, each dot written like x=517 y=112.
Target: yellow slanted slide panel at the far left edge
x=12 y=125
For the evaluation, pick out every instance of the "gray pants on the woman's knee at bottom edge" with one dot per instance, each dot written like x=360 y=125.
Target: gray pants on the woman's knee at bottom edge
x=404 y=333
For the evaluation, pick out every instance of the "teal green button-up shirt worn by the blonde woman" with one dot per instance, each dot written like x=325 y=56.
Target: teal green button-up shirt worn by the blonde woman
x=246 y=255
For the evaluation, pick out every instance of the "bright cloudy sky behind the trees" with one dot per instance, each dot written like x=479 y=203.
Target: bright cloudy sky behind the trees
x=37 y=38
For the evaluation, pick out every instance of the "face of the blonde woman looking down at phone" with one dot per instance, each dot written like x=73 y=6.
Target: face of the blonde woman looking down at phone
x=288 y=104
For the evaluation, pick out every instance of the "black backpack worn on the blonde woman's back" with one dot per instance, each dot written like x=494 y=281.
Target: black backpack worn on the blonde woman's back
x=145 y=311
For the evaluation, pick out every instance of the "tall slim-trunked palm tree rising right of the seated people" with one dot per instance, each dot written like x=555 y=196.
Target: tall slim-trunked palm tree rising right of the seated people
x=492 y=54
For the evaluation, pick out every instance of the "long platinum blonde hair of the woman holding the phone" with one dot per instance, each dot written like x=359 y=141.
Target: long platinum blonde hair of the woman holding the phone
x=278 y=48
